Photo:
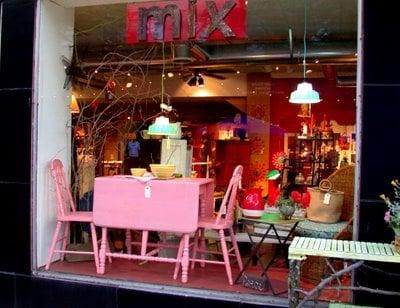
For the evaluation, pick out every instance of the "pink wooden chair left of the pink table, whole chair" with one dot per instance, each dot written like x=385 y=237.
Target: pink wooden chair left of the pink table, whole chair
x=66 y=213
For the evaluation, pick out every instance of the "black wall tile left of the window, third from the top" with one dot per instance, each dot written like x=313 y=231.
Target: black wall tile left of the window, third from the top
x=15 y=227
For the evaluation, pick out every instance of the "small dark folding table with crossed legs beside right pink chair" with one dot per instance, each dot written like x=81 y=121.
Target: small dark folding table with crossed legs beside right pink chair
x=258 y=230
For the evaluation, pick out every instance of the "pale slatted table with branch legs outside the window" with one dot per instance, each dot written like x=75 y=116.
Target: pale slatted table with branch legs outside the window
x=356 y=251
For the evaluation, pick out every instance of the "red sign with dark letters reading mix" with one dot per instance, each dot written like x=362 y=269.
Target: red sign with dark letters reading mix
x=185 y=20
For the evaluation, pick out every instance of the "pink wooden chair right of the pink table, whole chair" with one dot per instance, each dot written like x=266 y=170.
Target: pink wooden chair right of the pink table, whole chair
x=221 y=223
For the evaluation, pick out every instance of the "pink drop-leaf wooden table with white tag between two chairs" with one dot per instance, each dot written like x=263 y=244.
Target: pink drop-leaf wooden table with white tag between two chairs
x=173 y=205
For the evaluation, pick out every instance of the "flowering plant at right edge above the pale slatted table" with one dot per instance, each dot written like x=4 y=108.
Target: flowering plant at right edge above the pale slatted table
x=392 y=215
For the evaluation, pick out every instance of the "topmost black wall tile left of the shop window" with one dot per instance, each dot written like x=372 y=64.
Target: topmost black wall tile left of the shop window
x=17 y=43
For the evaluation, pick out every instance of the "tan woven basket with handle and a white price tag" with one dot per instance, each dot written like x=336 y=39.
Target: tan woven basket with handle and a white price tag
x=326 y=203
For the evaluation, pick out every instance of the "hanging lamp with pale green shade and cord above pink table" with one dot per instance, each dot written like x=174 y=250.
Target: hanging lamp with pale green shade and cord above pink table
x=161 y=125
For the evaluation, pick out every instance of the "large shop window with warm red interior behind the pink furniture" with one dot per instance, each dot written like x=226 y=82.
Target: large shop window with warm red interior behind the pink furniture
x=222 y=75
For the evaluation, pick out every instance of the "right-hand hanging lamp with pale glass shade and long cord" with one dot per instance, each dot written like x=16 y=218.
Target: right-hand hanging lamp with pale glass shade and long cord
x=304 y=94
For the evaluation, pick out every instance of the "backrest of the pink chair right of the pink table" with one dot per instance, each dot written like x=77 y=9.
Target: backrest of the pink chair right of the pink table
x=229 y=200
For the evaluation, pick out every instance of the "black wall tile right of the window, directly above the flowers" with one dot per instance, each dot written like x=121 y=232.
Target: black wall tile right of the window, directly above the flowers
x=380 y=145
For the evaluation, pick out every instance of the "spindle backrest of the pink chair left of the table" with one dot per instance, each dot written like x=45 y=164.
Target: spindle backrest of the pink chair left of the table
x=65 y=203
